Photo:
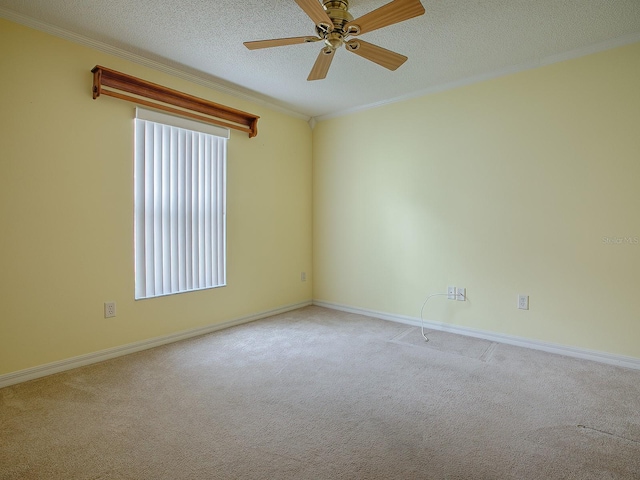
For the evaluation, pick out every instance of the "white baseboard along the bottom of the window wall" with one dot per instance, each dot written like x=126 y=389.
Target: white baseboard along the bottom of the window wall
x=95 y=357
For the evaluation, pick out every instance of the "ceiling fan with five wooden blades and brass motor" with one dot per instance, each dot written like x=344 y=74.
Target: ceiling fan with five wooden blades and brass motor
x=334 y=24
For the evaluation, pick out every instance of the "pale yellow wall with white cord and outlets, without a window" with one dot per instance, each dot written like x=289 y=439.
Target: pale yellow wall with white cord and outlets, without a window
x=504 y=187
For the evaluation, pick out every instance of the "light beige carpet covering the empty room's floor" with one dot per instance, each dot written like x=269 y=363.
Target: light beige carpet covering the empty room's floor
x=321 y=394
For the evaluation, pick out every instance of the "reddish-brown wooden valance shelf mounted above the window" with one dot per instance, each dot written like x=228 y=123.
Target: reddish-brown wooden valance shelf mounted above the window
x=159 y=97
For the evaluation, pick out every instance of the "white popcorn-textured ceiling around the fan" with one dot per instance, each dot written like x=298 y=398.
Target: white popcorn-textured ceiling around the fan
x=455 y=42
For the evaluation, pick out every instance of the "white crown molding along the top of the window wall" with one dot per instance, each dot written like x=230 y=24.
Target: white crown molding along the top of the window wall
x=237 y=92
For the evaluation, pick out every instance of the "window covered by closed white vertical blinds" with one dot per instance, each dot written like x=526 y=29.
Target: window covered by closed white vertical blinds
x=180 y=204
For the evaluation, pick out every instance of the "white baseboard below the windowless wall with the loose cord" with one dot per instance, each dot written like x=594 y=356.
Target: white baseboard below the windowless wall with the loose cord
x=602 y=357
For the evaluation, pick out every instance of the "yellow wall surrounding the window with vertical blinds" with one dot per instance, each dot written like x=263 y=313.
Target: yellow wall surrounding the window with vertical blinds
x=66 y=209
